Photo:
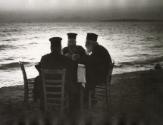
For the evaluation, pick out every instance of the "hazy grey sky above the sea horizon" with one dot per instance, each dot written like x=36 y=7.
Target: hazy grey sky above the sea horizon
x=81 y=9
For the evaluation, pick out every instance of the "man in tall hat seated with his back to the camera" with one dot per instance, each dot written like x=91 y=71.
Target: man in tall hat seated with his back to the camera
x=54 y=60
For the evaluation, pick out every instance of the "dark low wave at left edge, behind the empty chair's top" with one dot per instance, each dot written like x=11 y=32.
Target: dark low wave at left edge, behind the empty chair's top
x=13 y=65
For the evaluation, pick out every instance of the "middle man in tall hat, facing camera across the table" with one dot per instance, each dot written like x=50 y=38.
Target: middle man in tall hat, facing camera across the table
x=73 y=51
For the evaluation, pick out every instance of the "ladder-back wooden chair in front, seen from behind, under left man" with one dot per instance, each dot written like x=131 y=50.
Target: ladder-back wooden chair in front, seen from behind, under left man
x=53 y=83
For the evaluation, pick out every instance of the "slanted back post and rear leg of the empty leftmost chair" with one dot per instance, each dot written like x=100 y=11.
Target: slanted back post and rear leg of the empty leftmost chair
x=26 y=89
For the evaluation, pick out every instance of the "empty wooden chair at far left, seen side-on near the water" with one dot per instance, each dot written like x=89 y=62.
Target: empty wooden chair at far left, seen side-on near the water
x=28 y=85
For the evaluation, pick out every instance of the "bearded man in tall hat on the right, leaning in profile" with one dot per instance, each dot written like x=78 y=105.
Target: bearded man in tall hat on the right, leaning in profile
x=97 y=62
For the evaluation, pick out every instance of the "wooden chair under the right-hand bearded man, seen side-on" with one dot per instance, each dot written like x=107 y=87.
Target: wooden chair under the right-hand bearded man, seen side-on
x=102 y=91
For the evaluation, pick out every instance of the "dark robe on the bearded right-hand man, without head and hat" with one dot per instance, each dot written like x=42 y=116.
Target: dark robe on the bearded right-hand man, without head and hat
x=97 y=66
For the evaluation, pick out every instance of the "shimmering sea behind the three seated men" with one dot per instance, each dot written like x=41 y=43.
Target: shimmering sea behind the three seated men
x=133 y=46
